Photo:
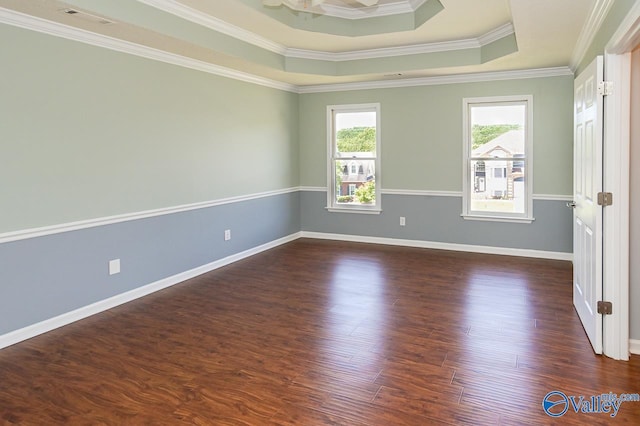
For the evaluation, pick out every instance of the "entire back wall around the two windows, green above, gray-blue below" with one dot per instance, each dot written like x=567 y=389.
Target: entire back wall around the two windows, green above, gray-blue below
x=421 y=131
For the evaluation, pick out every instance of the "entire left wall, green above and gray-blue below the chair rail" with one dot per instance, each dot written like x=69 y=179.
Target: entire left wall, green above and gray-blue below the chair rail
x=91 y=134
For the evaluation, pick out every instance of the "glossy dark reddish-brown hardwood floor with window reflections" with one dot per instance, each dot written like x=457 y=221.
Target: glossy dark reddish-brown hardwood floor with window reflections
x=322 y=332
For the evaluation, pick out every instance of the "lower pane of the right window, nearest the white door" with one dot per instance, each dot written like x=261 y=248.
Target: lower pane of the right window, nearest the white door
x=497 y=186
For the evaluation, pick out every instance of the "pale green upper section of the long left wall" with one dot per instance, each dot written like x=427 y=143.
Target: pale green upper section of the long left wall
x=88 y=132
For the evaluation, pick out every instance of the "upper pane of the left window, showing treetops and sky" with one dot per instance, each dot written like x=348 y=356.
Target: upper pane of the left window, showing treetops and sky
x=355 y=133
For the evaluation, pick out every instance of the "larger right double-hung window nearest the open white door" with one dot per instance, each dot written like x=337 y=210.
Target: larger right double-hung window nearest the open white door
x=498 y=158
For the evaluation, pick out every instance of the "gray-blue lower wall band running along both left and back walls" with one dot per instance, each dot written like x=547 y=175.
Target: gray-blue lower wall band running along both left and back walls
x=44 y=277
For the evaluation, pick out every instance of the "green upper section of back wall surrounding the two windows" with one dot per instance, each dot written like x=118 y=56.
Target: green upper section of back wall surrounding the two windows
x=421 y=130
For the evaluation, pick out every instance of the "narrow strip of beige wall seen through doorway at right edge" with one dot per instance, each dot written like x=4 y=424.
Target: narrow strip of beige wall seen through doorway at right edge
x=634 y=201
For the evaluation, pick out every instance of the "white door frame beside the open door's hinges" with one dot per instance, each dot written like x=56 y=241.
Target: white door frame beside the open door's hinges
x=616 y=180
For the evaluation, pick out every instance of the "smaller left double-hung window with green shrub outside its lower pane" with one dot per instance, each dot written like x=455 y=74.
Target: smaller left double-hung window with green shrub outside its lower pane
x=354 y=158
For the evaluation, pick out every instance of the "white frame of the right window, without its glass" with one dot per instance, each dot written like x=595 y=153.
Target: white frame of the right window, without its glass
x=467 y=213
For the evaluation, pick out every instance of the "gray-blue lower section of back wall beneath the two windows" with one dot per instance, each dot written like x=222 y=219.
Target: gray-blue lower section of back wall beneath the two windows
x=437 y=219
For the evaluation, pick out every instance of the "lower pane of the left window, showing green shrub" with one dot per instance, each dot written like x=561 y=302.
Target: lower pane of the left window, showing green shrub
x=355 y=181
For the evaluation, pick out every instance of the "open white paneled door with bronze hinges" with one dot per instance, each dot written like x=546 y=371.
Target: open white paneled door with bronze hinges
x=587 y=216
